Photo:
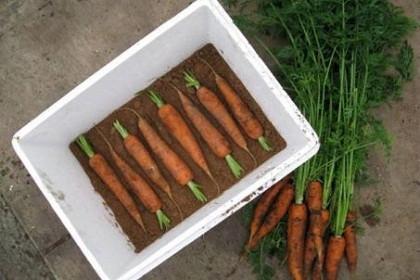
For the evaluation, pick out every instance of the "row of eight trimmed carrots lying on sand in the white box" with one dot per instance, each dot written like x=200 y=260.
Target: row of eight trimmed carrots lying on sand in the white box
x=173 y=162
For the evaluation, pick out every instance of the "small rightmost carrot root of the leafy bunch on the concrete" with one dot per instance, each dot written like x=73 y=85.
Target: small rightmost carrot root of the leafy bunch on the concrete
x=350 y=236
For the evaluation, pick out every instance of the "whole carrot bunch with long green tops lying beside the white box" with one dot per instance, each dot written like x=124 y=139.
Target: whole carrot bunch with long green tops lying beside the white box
x=337 y=65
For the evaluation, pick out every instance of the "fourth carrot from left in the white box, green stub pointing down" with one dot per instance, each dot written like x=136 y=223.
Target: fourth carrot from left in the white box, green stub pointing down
x=172 y=161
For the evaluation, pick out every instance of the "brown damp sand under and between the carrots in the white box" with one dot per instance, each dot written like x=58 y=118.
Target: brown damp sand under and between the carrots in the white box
x=148 y=109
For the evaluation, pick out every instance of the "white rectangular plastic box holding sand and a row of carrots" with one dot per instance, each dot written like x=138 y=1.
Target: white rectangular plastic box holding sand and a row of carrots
x=43 y=144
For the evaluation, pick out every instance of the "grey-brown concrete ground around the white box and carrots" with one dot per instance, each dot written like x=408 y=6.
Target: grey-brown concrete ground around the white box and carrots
x=47 y=47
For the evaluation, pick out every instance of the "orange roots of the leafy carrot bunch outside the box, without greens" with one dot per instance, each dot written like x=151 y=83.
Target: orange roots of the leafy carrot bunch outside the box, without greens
x=306 y=226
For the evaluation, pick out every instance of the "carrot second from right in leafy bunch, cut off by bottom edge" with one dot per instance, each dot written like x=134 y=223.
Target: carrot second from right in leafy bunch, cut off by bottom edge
x=335 y=252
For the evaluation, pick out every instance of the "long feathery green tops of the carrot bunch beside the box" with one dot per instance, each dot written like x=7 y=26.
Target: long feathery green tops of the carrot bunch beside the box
x=337 y=59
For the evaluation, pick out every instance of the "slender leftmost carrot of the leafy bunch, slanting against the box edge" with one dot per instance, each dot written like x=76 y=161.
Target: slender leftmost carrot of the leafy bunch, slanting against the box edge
x=263 y=205
